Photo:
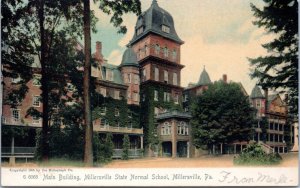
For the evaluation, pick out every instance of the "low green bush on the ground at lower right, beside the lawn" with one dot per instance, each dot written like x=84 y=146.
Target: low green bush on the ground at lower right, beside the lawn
x=255 y=155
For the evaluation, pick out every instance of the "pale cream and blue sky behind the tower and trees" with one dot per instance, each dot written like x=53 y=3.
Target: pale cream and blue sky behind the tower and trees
x=217 y=34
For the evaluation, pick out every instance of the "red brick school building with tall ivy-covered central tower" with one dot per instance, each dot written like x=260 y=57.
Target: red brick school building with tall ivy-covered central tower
x=148 y=81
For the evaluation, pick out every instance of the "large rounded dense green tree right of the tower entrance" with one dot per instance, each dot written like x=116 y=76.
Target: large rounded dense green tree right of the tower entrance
x=222 y=114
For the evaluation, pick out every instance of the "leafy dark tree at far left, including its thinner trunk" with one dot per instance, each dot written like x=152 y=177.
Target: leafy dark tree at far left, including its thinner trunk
x=47 y=30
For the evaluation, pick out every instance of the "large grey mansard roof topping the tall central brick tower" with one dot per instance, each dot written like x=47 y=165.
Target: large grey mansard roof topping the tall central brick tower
x=154 y=20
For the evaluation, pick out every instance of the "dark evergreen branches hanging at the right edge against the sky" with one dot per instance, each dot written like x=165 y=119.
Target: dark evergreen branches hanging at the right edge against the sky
x=279 y=69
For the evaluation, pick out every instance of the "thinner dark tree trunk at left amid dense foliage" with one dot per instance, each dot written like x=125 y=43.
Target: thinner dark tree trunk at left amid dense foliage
x=44 y=83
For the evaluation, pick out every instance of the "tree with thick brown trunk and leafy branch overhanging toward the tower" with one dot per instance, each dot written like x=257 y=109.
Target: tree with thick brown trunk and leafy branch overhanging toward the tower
x=118 y=8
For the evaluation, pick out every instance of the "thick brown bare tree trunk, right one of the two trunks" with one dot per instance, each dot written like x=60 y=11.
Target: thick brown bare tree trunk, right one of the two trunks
x=88 y=147
